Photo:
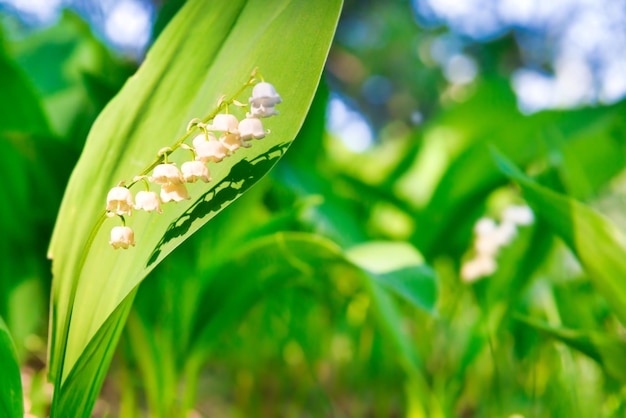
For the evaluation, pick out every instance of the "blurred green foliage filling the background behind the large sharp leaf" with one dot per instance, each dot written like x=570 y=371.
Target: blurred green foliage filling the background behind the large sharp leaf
x=278 y=308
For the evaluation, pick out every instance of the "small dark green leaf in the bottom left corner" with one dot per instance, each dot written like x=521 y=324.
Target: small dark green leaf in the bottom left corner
x=11 y=402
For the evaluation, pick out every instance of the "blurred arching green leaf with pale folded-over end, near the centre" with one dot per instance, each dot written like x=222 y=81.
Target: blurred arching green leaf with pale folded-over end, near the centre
x=282 y=258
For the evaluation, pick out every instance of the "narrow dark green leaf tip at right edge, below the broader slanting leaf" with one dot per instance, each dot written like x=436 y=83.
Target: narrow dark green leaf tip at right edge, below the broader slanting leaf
x=610 y=352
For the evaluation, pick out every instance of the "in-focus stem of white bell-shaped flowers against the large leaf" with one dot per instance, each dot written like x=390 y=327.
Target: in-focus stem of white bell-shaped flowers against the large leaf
x=216 y=141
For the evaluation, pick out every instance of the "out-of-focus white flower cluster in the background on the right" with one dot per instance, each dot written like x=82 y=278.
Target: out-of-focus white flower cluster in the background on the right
x=490 y=238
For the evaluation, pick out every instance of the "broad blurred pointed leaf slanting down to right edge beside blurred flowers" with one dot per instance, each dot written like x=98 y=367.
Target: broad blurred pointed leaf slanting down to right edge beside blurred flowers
x=598 y=243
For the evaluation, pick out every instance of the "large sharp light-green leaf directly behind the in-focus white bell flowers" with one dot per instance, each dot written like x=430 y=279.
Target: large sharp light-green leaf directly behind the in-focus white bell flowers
x=208 y=50
